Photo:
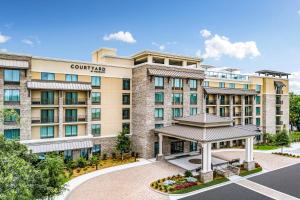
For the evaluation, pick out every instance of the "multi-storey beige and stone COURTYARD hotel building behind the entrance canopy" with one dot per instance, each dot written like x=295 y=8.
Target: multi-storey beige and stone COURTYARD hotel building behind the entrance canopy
x=78 y=108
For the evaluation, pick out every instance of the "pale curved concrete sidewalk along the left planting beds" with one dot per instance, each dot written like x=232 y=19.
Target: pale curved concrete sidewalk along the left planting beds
x=72 y=184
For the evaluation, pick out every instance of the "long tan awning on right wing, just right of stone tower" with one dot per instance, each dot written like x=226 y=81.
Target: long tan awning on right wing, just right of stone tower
x=215 y=90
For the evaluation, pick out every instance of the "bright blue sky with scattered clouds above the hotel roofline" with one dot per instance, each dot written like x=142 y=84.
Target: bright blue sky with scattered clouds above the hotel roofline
x=247 y=34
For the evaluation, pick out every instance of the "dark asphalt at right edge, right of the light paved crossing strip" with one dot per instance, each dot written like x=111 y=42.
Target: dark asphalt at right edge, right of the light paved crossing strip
x=286 y=180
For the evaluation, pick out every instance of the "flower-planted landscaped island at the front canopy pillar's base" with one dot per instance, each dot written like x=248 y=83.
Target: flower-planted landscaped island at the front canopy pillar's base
x=179 y=184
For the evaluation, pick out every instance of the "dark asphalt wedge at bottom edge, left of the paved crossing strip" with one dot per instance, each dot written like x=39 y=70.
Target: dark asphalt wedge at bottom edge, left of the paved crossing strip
x=228 y=192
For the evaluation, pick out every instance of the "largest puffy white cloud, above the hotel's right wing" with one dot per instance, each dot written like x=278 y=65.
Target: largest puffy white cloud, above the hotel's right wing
x=217 y=46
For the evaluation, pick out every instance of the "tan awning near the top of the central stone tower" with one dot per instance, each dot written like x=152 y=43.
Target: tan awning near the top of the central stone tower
x=176 y=73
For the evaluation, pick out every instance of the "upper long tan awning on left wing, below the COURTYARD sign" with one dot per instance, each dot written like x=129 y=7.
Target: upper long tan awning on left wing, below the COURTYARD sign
x=52 y=85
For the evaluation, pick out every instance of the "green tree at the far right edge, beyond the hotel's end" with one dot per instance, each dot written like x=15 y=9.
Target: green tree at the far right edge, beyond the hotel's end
x=294 y=110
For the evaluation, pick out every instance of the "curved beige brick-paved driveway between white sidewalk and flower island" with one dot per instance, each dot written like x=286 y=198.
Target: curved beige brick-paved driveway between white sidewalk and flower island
x=129 y=184
